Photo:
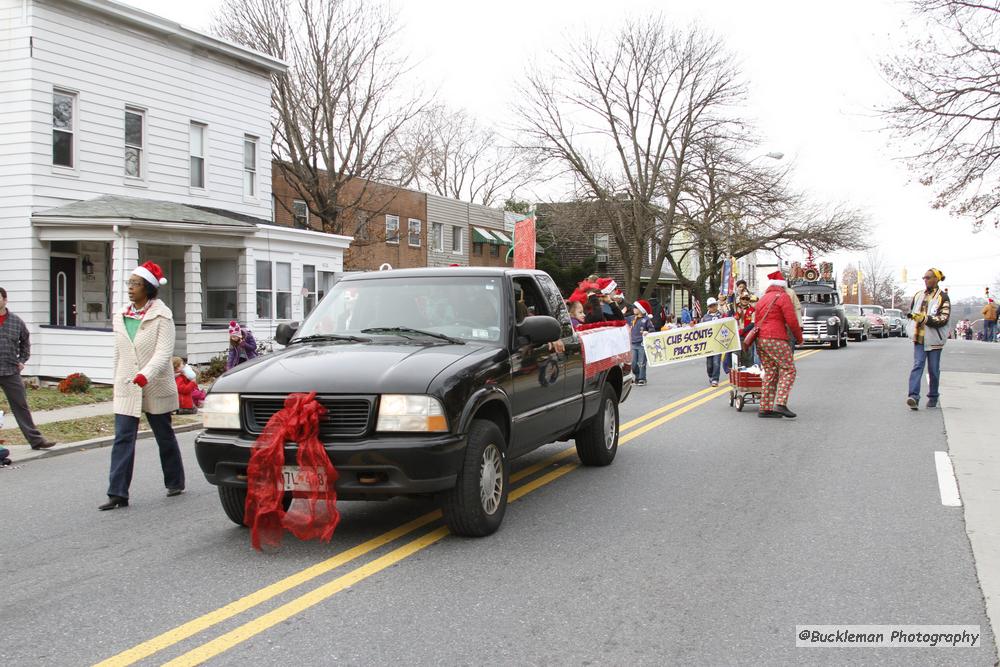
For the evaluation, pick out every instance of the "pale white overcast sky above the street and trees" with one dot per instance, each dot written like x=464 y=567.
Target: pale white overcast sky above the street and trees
x=812 y=70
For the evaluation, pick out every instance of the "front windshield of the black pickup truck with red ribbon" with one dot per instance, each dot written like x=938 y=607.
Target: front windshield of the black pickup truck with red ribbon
x=465 y=308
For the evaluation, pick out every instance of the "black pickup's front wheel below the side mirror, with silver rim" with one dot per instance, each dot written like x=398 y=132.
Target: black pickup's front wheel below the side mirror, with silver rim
x=476 y=505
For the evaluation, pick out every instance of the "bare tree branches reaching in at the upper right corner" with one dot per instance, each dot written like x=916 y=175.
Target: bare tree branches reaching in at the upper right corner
x=949 y=85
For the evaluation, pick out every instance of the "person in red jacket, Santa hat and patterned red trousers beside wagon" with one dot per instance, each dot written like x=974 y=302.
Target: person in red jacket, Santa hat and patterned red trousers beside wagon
x=775 y=318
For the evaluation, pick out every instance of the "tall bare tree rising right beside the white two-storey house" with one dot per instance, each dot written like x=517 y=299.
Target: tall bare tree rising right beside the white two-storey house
x=338 y=110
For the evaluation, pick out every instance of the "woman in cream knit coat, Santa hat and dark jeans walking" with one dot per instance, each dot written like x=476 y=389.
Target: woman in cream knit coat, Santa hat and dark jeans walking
x=144 y=383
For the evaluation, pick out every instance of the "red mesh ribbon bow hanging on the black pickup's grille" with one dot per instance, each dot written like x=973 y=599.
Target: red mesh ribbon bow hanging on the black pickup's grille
x=313 y=514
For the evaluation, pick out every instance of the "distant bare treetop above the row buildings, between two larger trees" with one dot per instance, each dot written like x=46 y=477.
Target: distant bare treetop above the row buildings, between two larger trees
x=450 y=153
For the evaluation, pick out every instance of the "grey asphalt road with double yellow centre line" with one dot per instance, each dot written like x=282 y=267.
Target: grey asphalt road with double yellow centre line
x=707 y=541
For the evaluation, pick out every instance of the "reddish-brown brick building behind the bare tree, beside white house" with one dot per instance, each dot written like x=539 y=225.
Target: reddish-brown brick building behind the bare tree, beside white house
x=389 y=224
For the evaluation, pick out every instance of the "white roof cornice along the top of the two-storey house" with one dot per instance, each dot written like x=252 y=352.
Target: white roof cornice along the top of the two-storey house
x=162 y=26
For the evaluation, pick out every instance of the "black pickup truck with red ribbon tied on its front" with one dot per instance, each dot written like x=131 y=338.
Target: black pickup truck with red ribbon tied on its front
x=434 y=379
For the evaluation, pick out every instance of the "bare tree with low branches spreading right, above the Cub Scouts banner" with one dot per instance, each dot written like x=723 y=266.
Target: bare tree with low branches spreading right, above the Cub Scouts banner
x=730 y=207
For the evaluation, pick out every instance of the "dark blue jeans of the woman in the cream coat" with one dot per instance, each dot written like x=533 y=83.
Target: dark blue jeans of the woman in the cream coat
x=123 y=453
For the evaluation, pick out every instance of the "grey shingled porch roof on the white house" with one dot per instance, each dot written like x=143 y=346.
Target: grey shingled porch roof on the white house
x=110 y=207
